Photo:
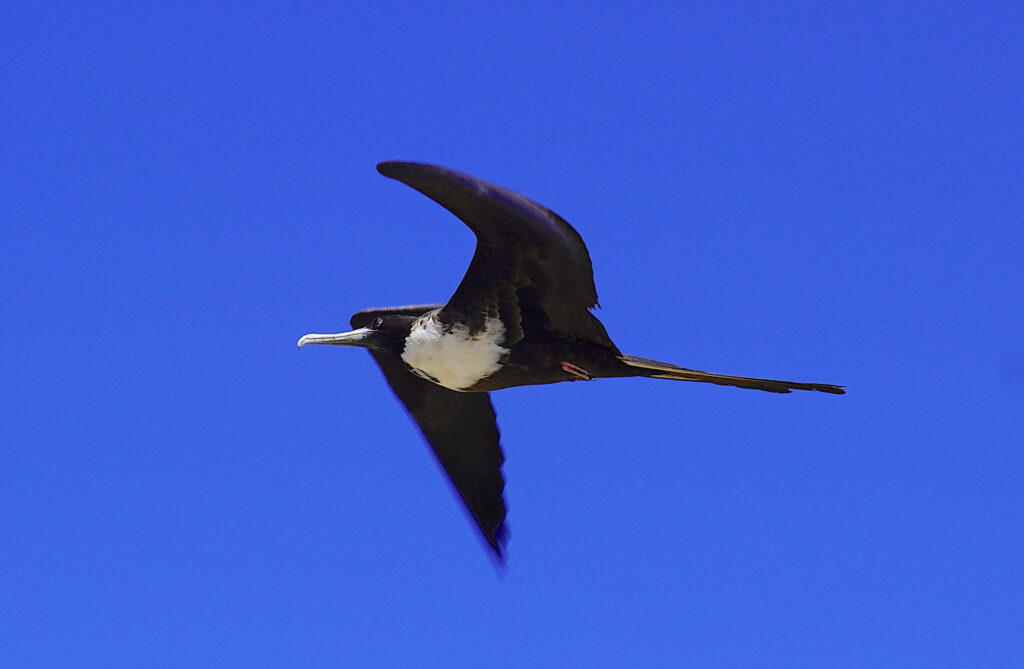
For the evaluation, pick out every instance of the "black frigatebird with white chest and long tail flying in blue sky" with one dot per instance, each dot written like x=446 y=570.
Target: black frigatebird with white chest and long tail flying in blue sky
x=522 y=316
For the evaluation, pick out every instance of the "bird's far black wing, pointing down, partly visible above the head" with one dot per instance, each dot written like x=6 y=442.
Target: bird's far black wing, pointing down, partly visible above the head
x=460 y=429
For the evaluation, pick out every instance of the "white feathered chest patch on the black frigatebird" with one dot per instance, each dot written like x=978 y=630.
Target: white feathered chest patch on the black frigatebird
x=455 y=359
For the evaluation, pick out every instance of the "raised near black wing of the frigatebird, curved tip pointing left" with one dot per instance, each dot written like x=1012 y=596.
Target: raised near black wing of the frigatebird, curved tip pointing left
x=531 y=269
